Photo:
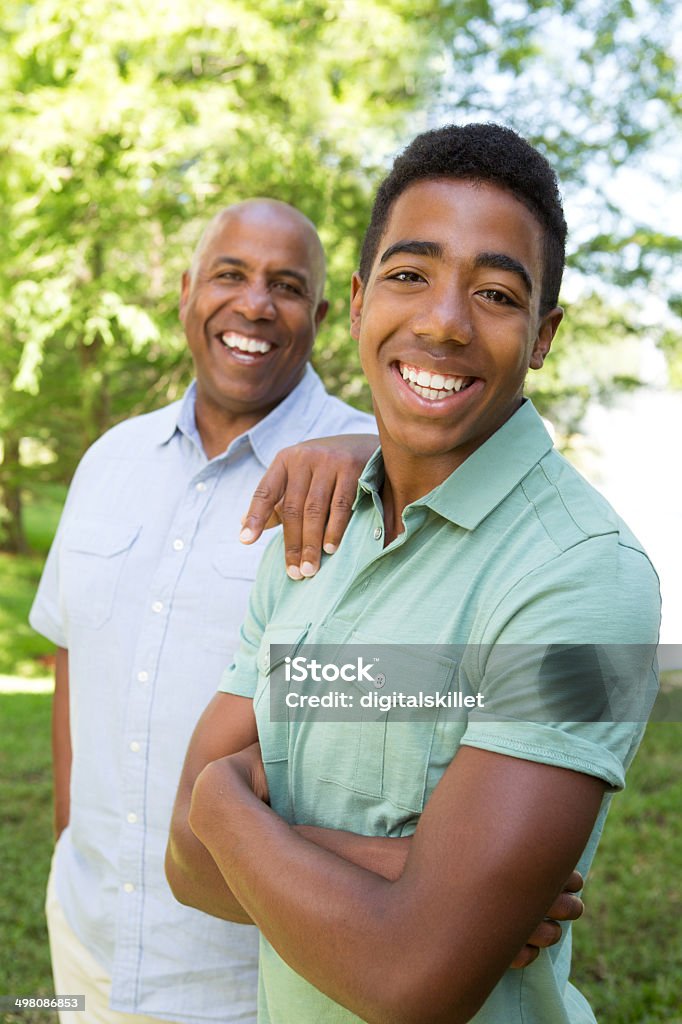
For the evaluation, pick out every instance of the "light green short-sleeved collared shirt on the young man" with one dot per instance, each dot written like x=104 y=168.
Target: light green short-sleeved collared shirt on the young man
x=515 y=557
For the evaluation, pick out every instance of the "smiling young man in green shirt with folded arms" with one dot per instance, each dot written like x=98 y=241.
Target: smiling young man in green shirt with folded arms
x=482 y=561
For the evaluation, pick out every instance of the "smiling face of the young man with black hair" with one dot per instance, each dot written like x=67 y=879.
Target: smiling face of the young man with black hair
x=449 y=321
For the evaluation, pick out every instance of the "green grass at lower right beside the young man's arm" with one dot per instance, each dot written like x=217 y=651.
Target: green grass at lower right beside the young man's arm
x=629 y=949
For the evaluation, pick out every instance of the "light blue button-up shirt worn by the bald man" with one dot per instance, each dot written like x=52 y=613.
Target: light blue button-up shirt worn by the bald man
x=147 y=586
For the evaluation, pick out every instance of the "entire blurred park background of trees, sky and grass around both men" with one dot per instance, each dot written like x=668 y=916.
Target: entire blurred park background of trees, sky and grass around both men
x=126 y=124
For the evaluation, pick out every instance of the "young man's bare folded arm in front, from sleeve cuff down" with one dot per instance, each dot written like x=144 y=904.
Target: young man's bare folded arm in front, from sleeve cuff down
x=388 y=950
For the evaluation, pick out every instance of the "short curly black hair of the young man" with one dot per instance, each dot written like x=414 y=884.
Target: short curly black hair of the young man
x=480 y=153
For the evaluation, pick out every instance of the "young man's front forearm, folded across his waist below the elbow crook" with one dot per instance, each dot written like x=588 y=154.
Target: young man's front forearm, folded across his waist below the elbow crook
x=328 y=918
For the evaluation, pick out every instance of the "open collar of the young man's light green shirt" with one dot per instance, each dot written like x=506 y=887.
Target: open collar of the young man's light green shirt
x=485 y=480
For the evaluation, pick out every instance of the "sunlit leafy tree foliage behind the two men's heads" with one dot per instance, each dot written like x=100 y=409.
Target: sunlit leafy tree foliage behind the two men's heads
x=126 y=124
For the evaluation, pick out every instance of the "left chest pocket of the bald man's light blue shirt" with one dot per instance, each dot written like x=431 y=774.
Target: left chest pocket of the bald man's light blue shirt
x=94 y=556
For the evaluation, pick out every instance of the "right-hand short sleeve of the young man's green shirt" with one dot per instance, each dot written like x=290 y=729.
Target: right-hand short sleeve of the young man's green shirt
x=570 y=675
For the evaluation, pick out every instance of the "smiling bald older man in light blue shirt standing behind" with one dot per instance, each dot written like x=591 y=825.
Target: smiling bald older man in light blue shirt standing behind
x=144 y=593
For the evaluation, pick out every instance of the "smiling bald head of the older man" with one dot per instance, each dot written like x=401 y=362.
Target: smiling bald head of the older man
x=252 y=307
